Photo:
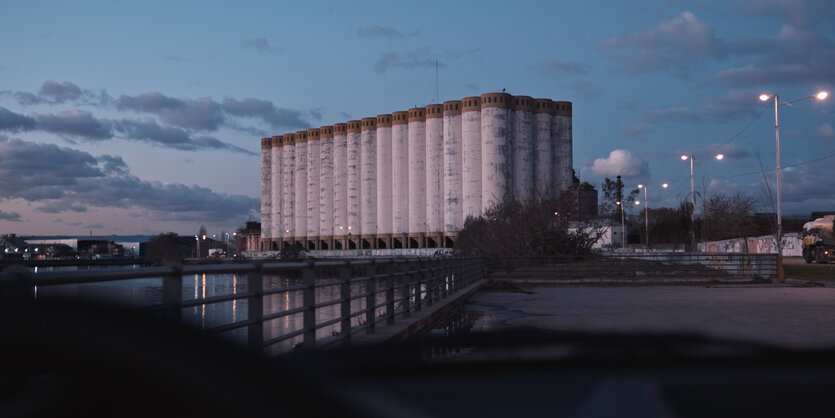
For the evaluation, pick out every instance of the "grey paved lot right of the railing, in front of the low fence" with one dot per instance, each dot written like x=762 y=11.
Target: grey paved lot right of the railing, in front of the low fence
x=790 y=316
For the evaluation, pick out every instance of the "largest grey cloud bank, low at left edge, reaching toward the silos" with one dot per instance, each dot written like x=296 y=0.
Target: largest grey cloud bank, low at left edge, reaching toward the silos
x=63 y=179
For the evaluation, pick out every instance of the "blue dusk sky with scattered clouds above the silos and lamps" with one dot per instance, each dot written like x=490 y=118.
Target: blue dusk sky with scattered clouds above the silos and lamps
x=146 y=117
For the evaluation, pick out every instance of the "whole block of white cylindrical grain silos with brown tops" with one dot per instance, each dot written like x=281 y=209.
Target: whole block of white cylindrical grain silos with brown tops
x=409 y=179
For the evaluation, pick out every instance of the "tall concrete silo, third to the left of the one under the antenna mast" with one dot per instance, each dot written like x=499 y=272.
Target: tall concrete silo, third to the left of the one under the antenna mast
x=384 y=181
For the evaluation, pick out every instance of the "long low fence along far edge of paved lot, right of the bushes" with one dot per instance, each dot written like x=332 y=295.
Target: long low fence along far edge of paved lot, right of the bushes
x=667 y=266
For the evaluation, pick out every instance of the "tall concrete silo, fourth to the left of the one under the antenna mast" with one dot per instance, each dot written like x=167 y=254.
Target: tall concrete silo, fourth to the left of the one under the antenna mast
x=368 y=181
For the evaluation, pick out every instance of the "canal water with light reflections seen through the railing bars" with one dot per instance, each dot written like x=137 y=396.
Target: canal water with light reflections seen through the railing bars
x=136 y=293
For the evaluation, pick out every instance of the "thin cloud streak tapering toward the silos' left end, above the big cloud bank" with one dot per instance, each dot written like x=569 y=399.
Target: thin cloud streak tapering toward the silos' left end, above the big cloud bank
x=171 y=137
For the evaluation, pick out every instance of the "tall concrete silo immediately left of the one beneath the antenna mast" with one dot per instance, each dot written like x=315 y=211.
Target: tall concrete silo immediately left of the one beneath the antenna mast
x=417 y=177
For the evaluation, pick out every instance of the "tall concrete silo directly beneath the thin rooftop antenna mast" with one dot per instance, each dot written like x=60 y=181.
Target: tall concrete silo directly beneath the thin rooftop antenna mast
x=434 y=175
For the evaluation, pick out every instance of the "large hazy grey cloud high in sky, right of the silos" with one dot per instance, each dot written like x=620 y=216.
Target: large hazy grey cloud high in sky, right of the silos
x=678 y=45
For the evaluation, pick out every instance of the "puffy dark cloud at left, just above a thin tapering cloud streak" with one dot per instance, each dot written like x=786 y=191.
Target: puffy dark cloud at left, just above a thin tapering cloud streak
x=202 y=114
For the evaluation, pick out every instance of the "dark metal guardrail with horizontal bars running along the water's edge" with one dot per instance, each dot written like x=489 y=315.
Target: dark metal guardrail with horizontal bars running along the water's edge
x=384 y=290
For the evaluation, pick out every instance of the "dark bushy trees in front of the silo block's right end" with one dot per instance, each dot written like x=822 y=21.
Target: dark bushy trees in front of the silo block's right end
x=513 y=228
